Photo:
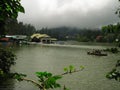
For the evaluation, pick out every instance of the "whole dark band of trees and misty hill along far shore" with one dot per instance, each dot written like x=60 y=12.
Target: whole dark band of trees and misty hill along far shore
x=107 y=33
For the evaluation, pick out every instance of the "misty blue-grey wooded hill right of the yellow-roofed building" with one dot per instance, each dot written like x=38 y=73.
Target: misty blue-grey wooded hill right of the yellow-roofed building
x=68 y=33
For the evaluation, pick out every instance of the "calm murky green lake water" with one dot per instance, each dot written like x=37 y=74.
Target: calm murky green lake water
x=53 y=59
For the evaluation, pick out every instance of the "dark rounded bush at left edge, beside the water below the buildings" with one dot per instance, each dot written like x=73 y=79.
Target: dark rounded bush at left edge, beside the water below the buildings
x=7 y=59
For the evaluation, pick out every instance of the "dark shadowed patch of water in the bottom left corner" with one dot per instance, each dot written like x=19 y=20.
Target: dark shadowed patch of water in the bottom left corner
x=7 y=84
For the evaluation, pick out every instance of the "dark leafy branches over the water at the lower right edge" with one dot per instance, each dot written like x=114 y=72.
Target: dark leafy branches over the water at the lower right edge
x=115 y=73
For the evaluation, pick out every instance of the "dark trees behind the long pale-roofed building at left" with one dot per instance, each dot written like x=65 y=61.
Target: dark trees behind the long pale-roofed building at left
x=19 y=28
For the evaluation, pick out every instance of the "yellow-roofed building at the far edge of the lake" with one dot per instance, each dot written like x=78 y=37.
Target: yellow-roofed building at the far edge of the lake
x=43 y=38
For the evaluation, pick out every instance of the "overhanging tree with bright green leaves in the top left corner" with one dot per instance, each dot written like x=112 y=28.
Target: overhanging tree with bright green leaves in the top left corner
x=9 y=9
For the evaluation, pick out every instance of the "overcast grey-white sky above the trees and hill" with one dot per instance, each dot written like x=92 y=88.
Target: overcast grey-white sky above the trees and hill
x=73 y=13
